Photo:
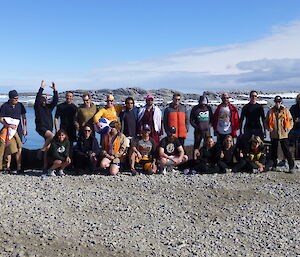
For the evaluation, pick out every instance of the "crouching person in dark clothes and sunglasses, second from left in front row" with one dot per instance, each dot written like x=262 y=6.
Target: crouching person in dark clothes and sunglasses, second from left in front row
x=86 y=152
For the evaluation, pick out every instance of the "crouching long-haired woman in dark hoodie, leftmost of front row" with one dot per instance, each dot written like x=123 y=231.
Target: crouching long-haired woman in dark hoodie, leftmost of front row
x=58 y=153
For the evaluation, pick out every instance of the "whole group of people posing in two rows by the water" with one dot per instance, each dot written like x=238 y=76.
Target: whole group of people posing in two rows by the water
x=132 y=138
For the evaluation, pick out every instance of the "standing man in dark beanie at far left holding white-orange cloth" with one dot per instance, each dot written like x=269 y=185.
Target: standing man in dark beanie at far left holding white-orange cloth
x=16 y=110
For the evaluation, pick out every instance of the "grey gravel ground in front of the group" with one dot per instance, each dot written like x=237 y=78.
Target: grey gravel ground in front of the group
x=172 y=215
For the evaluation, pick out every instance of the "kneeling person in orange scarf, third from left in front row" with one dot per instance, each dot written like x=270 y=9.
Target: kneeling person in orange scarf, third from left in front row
x=113 y=148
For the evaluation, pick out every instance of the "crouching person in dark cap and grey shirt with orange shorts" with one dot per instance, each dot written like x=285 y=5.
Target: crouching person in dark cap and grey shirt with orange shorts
x=143 y=152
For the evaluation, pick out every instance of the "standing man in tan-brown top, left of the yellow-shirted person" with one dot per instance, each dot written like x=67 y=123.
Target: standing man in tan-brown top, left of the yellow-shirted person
x=85 y=113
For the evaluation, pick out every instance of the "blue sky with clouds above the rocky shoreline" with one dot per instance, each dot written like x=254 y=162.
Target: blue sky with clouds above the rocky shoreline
x=151 y=44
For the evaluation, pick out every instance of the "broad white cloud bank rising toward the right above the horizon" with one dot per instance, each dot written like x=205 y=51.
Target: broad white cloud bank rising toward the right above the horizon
x=272 y=63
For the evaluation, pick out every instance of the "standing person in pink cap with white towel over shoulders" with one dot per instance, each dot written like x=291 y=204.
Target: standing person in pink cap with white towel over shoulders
x=151 y=114
